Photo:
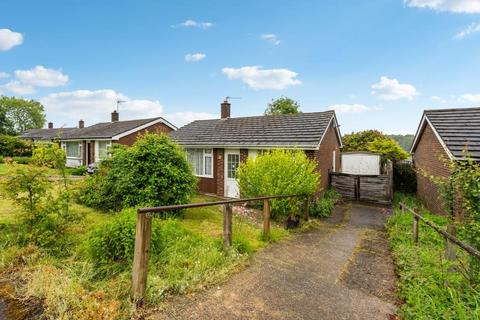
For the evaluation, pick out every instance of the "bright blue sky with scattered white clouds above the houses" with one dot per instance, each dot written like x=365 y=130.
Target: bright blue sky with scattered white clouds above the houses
x=377 y=63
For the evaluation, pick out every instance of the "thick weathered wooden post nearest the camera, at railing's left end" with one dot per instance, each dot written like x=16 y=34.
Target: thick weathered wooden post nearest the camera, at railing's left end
x=140 y=258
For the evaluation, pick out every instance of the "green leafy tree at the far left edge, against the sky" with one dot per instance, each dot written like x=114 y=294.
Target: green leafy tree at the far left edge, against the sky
x=19 y=114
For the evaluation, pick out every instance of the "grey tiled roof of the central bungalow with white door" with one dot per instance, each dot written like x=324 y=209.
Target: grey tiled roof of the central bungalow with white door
x=302 y=130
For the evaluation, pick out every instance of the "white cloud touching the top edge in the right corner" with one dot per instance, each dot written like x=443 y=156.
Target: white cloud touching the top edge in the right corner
x=456 y=6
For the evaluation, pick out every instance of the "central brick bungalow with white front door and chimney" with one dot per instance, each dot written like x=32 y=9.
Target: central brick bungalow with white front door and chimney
x=216 y=147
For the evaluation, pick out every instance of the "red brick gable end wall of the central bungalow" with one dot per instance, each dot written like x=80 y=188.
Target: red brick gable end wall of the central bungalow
x=324 y=156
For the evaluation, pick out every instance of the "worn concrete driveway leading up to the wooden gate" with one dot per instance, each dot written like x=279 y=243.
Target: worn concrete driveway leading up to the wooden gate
x=297 y=279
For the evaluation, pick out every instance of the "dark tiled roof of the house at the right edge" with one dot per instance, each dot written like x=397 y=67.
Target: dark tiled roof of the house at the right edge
x=459 y=129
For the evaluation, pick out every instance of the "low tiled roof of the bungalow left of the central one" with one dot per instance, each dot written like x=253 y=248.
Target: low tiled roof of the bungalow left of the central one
x=106 y=129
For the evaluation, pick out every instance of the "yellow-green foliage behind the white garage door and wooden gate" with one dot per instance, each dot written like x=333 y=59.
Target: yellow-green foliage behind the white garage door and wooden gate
x=376 y=142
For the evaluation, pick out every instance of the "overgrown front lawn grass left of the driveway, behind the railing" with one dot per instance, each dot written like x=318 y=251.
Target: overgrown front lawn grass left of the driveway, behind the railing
x=76 y=287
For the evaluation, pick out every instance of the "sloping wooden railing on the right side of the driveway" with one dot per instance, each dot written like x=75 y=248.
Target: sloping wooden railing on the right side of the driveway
x=447 y=235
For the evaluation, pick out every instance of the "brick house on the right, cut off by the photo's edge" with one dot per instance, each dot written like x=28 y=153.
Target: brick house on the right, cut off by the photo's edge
x=443 y=135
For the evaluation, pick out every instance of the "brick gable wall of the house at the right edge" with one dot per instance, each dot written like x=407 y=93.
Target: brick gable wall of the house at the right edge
x=427 y=158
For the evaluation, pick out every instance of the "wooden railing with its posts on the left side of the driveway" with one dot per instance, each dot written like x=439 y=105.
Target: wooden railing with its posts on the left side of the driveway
x=144 y=232
